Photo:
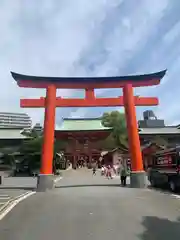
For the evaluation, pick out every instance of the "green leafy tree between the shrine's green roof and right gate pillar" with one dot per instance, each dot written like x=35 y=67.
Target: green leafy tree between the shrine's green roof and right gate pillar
x=117 y=121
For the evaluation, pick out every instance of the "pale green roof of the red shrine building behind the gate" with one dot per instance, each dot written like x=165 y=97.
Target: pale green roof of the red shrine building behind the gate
x=81 y=124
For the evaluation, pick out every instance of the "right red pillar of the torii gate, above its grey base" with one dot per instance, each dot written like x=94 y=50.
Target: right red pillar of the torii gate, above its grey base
x=133 y=136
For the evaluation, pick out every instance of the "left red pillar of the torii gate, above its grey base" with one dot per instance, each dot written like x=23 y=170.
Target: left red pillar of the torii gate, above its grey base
x=48 y=139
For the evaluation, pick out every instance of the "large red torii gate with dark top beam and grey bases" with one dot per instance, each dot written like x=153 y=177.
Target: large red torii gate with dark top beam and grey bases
x=50 y=102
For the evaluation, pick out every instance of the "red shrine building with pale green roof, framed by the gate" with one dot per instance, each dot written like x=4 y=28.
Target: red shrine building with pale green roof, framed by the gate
x=82 y=136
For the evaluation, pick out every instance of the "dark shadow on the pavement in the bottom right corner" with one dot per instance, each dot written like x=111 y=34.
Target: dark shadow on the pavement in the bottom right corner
x=160 y=228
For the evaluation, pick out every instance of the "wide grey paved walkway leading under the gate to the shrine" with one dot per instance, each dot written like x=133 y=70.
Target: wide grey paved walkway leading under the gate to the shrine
x=87 y=207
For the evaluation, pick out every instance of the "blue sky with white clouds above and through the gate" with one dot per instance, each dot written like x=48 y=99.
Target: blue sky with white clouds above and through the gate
x=90 y=38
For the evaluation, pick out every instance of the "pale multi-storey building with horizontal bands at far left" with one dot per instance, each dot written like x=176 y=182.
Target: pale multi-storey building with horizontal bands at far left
x=15 y=120
